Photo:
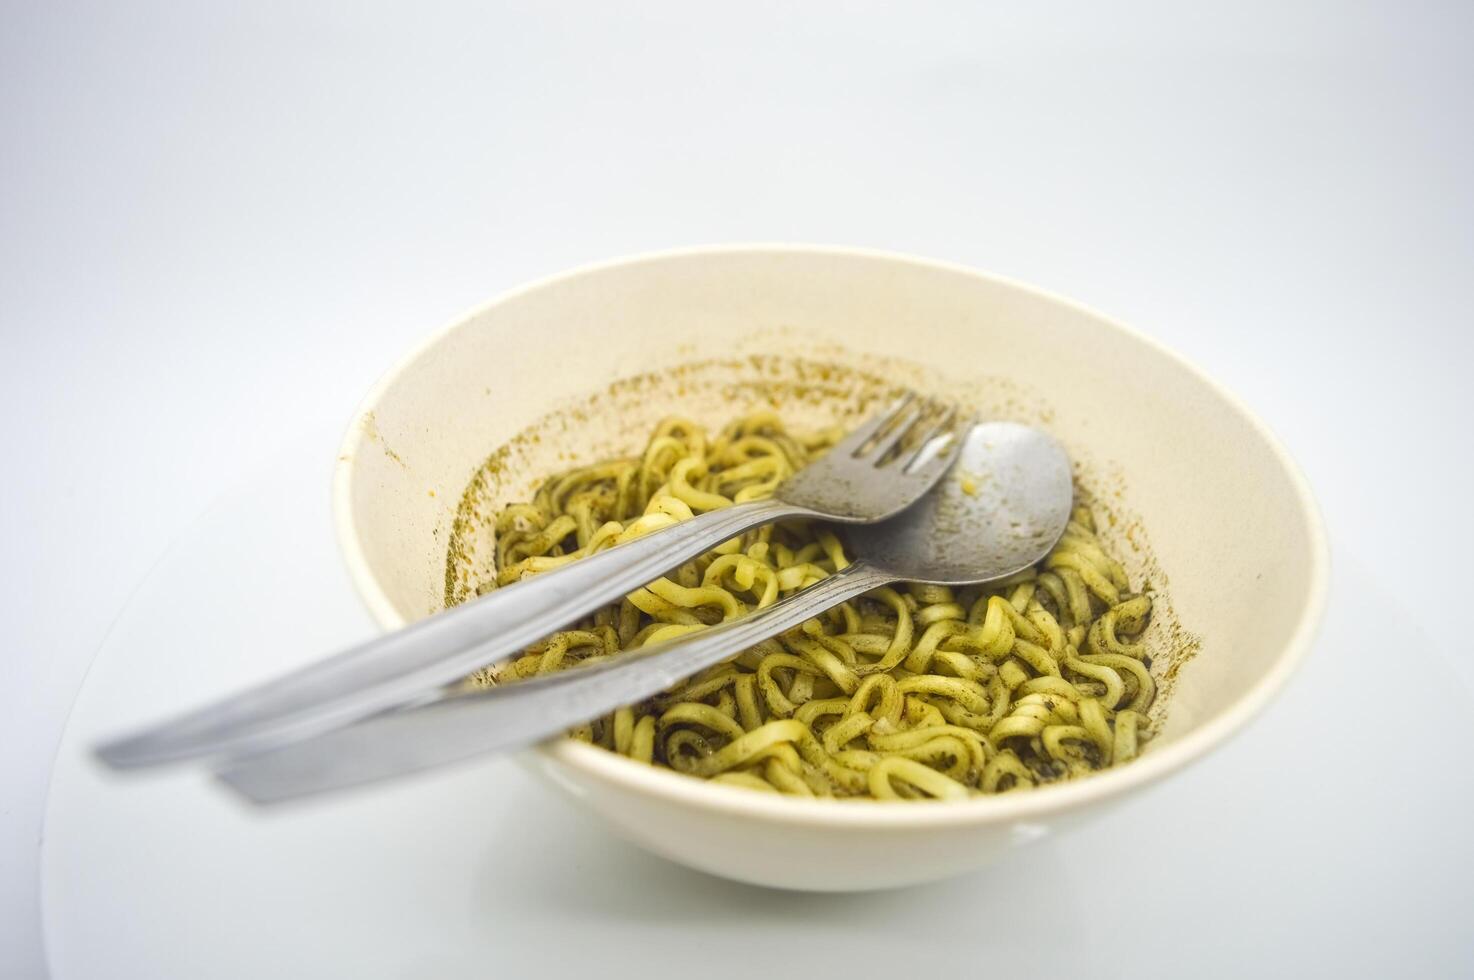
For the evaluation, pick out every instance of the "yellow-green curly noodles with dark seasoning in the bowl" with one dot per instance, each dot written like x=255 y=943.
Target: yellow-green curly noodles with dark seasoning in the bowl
x=916 y=692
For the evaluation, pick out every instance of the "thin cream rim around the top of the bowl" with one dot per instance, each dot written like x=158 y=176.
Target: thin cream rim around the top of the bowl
x=682 y=791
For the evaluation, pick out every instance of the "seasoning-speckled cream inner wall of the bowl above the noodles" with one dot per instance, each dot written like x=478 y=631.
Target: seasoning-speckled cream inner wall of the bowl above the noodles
x=1198 y=497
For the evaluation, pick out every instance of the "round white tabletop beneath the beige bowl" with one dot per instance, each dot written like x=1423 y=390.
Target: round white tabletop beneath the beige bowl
x=483 y=872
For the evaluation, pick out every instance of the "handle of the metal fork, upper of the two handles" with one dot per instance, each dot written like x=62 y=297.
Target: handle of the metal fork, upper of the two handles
x=409 y=664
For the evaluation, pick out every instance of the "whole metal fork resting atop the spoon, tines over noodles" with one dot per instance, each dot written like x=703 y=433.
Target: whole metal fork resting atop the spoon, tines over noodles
x=873 y=474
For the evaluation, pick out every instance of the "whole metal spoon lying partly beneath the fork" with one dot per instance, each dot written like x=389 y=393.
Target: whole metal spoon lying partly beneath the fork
x=1000 y=509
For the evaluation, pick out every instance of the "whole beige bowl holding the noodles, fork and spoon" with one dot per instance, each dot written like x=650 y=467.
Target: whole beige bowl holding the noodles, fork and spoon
x=1206 y=503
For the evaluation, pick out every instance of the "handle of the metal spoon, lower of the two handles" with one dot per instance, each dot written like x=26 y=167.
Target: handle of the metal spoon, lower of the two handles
x=521 y=714
